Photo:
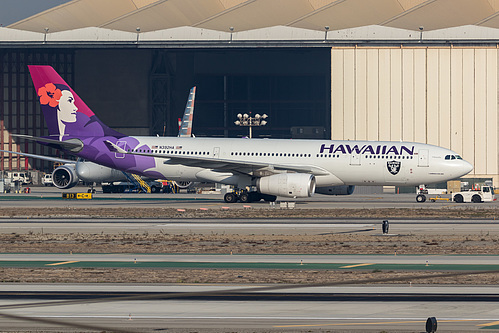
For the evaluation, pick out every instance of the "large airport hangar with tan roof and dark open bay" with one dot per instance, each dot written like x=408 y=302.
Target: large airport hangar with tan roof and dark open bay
x=412 y=70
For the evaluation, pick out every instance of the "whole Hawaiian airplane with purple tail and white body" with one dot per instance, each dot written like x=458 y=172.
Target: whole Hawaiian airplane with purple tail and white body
x=269 y=167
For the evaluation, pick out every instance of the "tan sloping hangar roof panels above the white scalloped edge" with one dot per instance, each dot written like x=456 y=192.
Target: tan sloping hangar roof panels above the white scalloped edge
x=243 y=15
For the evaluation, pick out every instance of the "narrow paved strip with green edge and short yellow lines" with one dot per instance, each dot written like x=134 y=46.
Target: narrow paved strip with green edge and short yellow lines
x=405 y=263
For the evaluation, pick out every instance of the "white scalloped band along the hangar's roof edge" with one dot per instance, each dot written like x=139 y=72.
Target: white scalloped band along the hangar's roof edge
x=273 y=36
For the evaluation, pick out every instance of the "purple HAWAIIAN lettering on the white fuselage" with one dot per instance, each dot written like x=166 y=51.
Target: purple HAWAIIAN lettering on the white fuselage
x=366 y=149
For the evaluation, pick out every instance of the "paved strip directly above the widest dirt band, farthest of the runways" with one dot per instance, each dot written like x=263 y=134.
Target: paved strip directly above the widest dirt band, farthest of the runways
x=292 y=226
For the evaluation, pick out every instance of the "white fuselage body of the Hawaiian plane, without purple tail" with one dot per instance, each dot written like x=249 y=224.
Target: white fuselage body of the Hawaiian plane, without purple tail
x=339 y=162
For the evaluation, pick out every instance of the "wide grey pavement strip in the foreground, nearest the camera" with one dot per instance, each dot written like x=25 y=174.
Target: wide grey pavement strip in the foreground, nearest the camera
x=218 y=308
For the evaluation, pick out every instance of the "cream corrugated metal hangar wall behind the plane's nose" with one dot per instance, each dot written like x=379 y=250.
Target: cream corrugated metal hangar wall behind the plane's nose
x=442 y=96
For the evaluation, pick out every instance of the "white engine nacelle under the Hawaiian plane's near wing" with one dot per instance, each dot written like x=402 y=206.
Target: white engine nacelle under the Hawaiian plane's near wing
x=295 y=185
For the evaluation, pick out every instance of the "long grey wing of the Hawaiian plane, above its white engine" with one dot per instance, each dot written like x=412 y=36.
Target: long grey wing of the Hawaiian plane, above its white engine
x=222 y=164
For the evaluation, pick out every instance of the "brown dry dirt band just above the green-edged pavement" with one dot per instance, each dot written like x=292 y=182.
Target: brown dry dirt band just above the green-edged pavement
x=248 y=244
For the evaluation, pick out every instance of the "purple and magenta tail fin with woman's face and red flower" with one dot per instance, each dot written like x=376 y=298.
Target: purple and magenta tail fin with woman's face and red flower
x=66 y=115
